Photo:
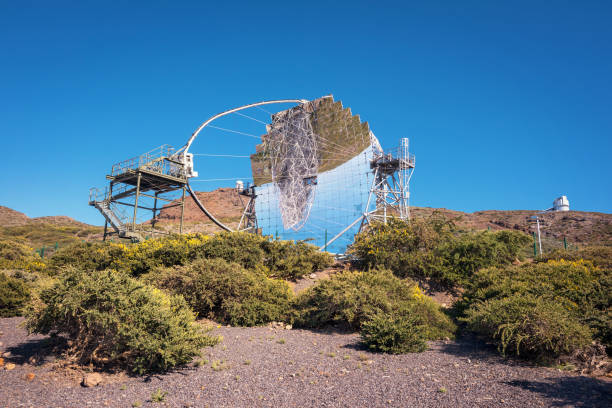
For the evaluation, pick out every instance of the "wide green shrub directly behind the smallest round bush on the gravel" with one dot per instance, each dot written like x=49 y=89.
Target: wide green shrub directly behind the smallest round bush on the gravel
x=351 y=298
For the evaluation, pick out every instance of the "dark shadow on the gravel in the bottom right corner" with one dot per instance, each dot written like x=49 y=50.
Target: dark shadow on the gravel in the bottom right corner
x=571 y=391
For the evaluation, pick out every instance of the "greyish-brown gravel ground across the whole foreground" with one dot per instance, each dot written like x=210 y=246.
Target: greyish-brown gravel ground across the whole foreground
x=273 y=367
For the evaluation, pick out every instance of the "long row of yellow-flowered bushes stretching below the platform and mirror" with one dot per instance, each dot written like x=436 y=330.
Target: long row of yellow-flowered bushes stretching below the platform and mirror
x=283 y=259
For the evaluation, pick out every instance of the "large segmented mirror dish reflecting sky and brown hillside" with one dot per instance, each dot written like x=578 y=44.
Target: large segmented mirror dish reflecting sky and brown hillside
x=312 y=172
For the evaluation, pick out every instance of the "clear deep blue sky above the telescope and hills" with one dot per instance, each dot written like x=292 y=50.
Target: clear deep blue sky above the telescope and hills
x=507 y=104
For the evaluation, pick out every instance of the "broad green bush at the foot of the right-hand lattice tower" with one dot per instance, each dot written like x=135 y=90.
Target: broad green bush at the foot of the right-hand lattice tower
x=433 y=248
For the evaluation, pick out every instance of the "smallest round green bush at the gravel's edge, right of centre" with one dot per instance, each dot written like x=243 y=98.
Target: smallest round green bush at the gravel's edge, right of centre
x=402 y=332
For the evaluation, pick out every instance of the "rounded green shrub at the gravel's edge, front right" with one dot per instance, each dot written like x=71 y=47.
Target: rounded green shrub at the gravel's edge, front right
x=527 y=325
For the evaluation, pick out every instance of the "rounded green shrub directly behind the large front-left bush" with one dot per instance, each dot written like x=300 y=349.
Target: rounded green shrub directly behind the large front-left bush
x=226 y=292
